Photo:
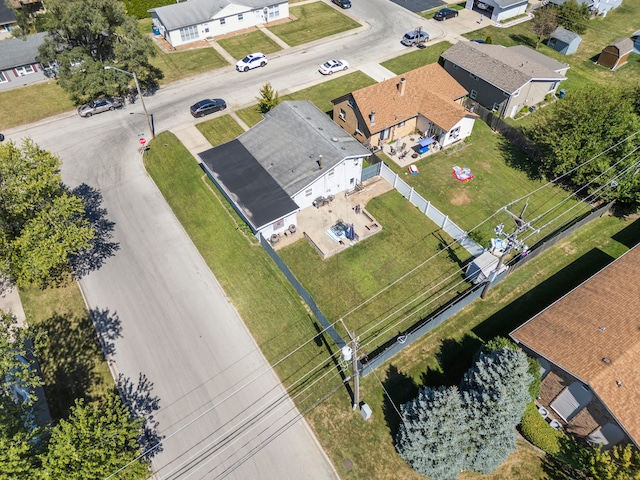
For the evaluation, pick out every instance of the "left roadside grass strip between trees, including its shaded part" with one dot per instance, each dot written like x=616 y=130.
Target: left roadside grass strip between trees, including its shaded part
x=72 y=360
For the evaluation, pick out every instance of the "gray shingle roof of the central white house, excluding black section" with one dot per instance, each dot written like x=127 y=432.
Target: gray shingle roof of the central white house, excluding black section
x=288 y=142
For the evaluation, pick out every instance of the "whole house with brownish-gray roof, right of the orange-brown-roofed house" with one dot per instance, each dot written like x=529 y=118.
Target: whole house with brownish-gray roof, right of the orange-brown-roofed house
x=503 y=79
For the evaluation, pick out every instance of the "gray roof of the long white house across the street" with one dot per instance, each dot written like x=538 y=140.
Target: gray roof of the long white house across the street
x=194 y=12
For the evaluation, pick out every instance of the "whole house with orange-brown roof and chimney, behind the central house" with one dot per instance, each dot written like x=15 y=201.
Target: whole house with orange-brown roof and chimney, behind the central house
x=427 y=100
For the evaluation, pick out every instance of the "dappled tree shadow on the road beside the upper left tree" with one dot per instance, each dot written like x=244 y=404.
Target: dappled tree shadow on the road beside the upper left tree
x=102 y=247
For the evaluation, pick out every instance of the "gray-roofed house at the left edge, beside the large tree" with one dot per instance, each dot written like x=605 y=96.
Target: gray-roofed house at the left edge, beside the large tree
x=19 y=63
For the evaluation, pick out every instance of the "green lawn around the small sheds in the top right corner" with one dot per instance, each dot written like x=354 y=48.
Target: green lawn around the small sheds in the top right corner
x=619 y=23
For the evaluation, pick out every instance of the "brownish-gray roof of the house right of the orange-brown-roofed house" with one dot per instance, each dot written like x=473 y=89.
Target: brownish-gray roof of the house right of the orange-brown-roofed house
x=506 y=68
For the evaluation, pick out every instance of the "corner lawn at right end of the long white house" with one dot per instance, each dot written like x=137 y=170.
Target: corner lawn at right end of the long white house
x=312 y=21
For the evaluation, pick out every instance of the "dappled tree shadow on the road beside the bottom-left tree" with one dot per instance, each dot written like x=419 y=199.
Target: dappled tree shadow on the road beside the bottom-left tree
x=137 y=397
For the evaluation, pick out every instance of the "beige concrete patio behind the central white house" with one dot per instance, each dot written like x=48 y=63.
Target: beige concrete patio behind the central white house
x=313 y=222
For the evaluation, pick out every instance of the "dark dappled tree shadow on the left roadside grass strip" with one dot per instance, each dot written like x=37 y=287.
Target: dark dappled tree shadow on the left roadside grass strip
x=68 y=358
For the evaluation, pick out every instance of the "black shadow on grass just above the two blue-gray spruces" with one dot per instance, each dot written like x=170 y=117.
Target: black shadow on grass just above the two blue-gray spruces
x=455 y=358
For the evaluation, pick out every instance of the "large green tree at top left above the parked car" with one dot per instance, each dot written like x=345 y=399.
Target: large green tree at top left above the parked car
x=84 y=36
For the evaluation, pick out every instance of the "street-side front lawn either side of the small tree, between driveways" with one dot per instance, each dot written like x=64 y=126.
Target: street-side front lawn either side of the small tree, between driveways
x=320 y=95
